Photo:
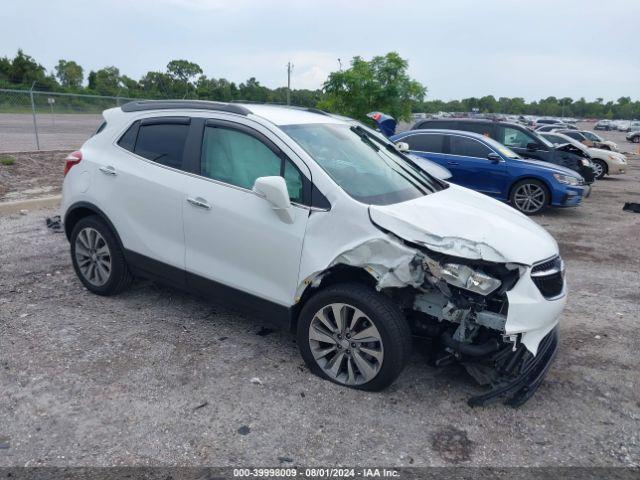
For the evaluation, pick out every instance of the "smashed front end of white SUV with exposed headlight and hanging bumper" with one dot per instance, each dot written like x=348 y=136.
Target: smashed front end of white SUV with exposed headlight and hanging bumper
x=496 y=319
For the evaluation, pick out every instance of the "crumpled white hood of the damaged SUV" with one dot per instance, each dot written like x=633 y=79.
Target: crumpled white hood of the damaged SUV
x=463 y=223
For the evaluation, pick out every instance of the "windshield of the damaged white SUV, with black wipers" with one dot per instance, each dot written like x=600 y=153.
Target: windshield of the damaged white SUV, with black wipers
x=366 y=167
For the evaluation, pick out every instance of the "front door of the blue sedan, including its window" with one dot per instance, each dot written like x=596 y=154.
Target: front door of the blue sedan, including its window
x=468 y=156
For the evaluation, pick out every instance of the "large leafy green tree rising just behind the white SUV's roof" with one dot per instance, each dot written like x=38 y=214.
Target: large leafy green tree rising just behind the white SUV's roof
x=380 y=84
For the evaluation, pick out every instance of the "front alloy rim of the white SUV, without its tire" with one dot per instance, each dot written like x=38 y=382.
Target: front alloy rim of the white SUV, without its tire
x=346 y=344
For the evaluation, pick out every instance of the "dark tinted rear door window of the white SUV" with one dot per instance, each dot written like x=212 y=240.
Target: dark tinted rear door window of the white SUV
x=162 y=143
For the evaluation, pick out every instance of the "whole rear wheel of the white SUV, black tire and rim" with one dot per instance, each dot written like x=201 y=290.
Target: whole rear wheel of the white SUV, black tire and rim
x=97 y=257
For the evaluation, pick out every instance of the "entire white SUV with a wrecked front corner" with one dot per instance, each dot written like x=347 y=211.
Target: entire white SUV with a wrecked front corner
x=321 y=226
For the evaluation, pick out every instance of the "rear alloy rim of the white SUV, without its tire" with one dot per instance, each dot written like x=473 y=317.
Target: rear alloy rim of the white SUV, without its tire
x=93 y=256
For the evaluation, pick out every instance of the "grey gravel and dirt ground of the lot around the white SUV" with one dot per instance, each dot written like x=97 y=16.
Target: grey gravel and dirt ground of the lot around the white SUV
x=158 y=377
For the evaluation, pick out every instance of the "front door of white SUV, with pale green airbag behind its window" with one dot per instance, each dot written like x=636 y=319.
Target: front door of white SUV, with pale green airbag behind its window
x=236 y=244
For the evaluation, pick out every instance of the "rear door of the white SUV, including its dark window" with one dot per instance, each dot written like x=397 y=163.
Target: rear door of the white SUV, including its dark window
x=139 y=186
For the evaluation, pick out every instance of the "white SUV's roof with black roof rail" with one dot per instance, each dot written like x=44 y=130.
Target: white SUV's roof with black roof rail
x=277 y=114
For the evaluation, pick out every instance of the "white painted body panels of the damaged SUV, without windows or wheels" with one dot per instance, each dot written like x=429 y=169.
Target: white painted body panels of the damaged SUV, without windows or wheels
x=243 y=243
